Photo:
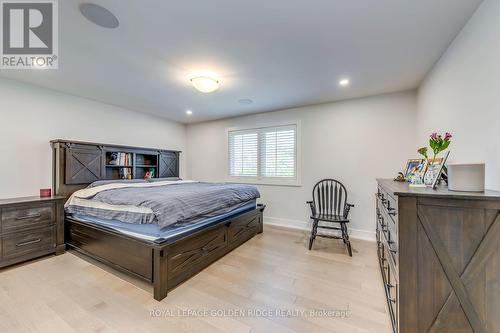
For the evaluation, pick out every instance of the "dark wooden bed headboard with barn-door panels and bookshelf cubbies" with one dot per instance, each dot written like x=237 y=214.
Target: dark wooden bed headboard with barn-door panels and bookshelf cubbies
x=76 y=164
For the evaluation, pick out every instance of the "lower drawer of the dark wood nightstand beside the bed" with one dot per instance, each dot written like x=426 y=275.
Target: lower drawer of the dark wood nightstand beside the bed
x=22 y=243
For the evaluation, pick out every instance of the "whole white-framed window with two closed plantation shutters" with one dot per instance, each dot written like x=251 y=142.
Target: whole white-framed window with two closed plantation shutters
x=268 y=153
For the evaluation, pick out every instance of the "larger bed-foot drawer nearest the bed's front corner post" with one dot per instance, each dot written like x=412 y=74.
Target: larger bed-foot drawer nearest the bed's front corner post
x=192 y=254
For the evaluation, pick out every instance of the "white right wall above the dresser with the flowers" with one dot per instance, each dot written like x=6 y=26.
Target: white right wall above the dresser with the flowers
x=462 y=94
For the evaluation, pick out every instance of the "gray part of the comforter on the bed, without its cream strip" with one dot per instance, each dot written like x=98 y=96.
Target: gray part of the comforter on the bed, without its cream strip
x=169 y=204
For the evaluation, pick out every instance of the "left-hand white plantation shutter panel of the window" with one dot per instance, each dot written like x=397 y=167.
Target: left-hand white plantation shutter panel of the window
x=243 y=153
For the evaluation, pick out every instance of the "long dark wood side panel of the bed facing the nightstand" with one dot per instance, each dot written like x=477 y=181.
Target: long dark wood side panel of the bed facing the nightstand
x=126 y=254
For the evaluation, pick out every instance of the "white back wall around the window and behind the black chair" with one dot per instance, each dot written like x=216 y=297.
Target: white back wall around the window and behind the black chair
x=354 y=141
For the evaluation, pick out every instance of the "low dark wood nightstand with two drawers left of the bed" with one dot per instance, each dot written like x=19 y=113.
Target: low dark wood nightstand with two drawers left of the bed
x=30 y=227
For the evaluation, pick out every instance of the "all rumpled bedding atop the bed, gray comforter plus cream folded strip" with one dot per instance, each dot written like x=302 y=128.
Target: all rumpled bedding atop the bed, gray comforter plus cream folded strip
x=163 y=203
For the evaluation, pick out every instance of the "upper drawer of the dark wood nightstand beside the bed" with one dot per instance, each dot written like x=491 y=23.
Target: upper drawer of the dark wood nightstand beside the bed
x=27 y=216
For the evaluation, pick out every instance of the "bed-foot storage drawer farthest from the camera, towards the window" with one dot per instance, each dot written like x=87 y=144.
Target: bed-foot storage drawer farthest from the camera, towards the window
x=243 y=228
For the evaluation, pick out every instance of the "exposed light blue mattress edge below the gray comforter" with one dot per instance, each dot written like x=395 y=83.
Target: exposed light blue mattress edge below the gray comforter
x=153 y=232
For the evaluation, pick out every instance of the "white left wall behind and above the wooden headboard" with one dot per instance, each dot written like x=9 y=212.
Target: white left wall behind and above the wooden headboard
x=31 y=116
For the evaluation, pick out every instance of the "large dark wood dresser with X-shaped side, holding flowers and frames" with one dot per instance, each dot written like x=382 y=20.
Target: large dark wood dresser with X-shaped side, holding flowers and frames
x=439 y=255
